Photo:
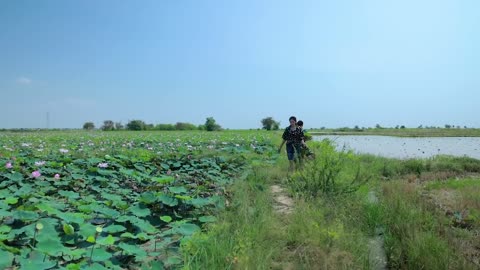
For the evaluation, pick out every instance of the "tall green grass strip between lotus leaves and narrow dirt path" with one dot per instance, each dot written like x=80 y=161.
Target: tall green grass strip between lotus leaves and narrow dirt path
x=247 y=236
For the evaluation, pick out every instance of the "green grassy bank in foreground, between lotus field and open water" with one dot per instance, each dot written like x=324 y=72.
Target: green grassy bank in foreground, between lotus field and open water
x=333 y=217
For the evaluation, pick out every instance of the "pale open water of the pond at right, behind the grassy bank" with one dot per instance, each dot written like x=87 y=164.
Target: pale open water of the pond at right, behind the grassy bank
x=403 y=148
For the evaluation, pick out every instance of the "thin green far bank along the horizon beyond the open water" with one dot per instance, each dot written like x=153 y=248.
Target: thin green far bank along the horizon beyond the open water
x=403 y=132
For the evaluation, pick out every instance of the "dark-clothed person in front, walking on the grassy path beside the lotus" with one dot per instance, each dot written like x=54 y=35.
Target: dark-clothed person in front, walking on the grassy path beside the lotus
x=293 y=136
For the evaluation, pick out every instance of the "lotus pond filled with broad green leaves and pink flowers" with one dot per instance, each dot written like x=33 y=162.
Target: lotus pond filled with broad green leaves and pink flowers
x=115 y=200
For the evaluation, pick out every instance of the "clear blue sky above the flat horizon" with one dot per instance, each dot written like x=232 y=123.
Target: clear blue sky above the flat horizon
x=330 y=63
